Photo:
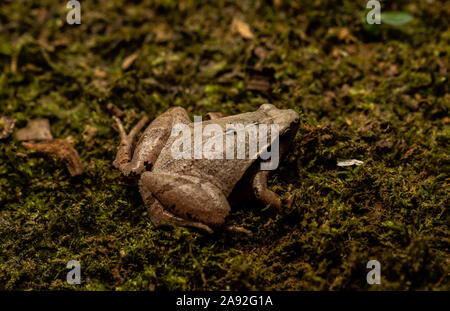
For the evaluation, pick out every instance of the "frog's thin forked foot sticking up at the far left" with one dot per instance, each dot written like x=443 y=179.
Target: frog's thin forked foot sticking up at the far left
x=127 y=142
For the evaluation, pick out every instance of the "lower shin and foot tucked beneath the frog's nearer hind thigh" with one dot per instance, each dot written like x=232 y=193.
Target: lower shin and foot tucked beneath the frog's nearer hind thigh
x=159 y=216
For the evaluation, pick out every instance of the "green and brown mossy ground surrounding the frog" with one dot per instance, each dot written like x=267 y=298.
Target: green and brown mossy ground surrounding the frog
x=379 y=95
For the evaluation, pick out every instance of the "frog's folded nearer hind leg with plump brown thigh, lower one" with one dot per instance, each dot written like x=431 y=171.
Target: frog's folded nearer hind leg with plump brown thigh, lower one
x=187 y=200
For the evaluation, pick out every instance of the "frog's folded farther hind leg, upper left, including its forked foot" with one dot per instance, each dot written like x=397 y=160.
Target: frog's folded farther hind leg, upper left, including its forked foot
x=150 y=144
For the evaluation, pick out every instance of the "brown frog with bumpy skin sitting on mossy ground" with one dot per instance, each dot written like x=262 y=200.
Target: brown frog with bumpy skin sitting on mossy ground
x=199 y=193
